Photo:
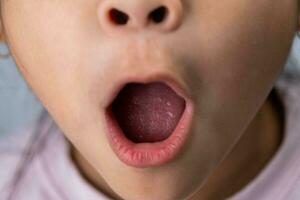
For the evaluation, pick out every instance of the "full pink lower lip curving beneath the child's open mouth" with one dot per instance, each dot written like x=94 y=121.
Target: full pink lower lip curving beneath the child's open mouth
x=156 y=154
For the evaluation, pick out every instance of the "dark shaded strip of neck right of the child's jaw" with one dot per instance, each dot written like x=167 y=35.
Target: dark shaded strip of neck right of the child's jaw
x=254 y=150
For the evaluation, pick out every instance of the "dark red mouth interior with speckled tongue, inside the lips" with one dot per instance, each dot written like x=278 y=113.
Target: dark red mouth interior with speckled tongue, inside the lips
x=147 y=112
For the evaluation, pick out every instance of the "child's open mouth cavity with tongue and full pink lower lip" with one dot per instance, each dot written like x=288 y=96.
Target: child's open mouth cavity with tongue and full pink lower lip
x=148 y=123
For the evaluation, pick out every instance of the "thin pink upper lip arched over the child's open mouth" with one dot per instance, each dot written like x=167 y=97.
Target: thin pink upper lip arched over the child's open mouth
x=175 y=83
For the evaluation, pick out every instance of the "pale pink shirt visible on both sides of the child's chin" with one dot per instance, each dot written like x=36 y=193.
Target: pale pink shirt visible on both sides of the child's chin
x=39 y=159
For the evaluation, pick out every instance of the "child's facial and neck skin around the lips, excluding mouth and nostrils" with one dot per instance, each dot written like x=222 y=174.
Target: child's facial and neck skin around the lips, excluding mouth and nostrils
x=228 y=54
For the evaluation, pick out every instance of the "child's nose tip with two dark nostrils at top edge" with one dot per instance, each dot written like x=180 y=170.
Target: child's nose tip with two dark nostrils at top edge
x=119 y=16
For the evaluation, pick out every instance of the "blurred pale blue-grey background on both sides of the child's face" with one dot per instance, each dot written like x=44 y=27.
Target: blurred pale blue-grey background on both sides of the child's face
x=19 y=107
